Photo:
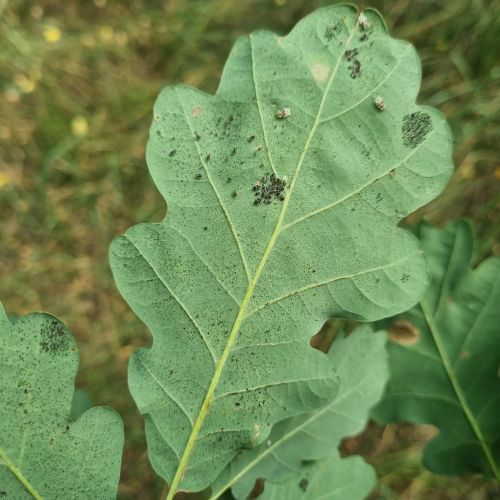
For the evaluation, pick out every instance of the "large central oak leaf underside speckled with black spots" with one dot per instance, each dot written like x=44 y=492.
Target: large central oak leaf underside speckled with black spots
x=284 y=192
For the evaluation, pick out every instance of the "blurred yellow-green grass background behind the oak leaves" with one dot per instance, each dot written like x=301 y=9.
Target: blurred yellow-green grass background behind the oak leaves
x=77 y=84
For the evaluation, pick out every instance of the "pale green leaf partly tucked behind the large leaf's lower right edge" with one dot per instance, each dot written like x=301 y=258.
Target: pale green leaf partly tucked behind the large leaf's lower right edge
x=361 y=364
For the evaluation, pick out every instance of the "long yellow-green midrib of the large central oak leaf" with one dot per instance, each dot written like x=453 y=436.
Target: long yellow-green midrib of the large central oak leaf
x=179 y=474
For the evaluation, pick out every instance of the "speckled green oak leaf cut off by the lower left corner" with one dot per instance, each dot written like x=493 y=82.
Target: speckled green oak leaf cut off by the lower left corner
x=43 y=453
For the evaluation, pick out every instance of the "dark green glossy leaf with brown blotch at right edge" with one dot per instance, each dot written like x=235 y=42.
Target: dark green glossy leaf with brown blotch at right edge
x=444 y=361
